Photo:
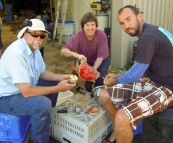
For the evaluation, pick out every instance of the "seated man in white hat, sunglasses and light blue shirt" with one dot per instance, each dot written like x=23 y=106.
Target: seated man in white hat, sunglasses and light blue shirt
x=26 y=87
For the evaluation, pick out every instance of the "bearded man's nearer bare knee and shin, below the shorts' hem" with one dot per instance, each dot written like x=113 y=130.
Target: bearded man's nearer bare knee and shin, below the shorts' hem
x=123 y=129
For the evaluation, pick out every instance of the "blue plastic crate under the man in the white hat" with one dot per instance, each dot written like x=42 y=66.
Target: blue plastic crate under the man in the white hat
x=14 y=129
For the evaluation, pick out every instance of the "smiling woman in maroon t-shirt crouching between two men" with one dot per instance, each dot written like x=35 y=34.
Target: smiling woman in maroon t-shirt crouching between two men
x=90 y=44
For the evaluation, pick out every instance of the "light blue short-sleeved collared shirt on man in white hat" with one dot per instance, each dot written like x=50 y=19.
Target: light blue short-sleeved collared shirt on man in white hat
x=19 y=65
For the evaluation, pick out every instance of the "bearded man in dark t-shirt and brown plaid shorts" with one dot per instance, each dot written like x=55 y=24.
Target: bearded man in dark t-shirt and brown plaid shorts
x=145 y=89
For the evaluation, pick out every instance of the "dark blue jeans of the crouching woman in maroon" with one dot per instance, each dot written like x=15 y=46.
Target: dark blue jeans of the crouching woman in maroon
x=103 y=69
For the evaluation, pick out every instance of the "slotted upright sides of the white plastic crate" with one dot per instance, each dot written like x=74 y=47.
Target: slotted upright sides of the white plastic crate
x=78 y=130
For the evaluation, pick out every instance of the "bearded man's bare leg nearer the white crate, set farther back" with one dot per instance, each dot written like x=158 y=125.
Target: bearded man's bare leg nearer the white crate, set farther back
x=110 y=109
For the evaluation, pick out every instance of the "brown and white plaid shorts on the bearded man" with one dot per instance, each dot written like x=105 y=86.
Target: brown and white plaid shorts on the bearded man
x=141 y=99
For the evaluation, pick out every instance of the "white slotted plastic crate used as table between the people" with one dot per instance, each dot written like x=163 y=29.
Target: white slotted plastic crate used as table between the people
x=80 y=127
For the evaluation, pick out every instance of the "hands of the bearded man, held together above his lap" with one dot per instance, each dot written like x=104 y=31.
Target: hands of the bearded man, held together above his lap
x=110 y=79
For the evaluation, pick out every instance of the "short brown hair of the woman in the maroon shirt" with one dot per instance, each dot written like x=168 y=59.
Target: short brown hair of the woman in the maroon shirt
x=88 y=17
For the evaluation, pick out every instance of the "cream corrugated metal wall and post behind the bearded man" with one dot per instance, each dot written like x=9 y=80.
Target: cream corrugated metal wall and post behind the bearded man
x=157 y=12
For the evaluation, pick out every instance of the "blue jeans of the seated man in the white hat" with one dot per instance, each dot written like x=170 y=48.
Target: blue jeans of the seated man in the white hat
x=38 y=107
